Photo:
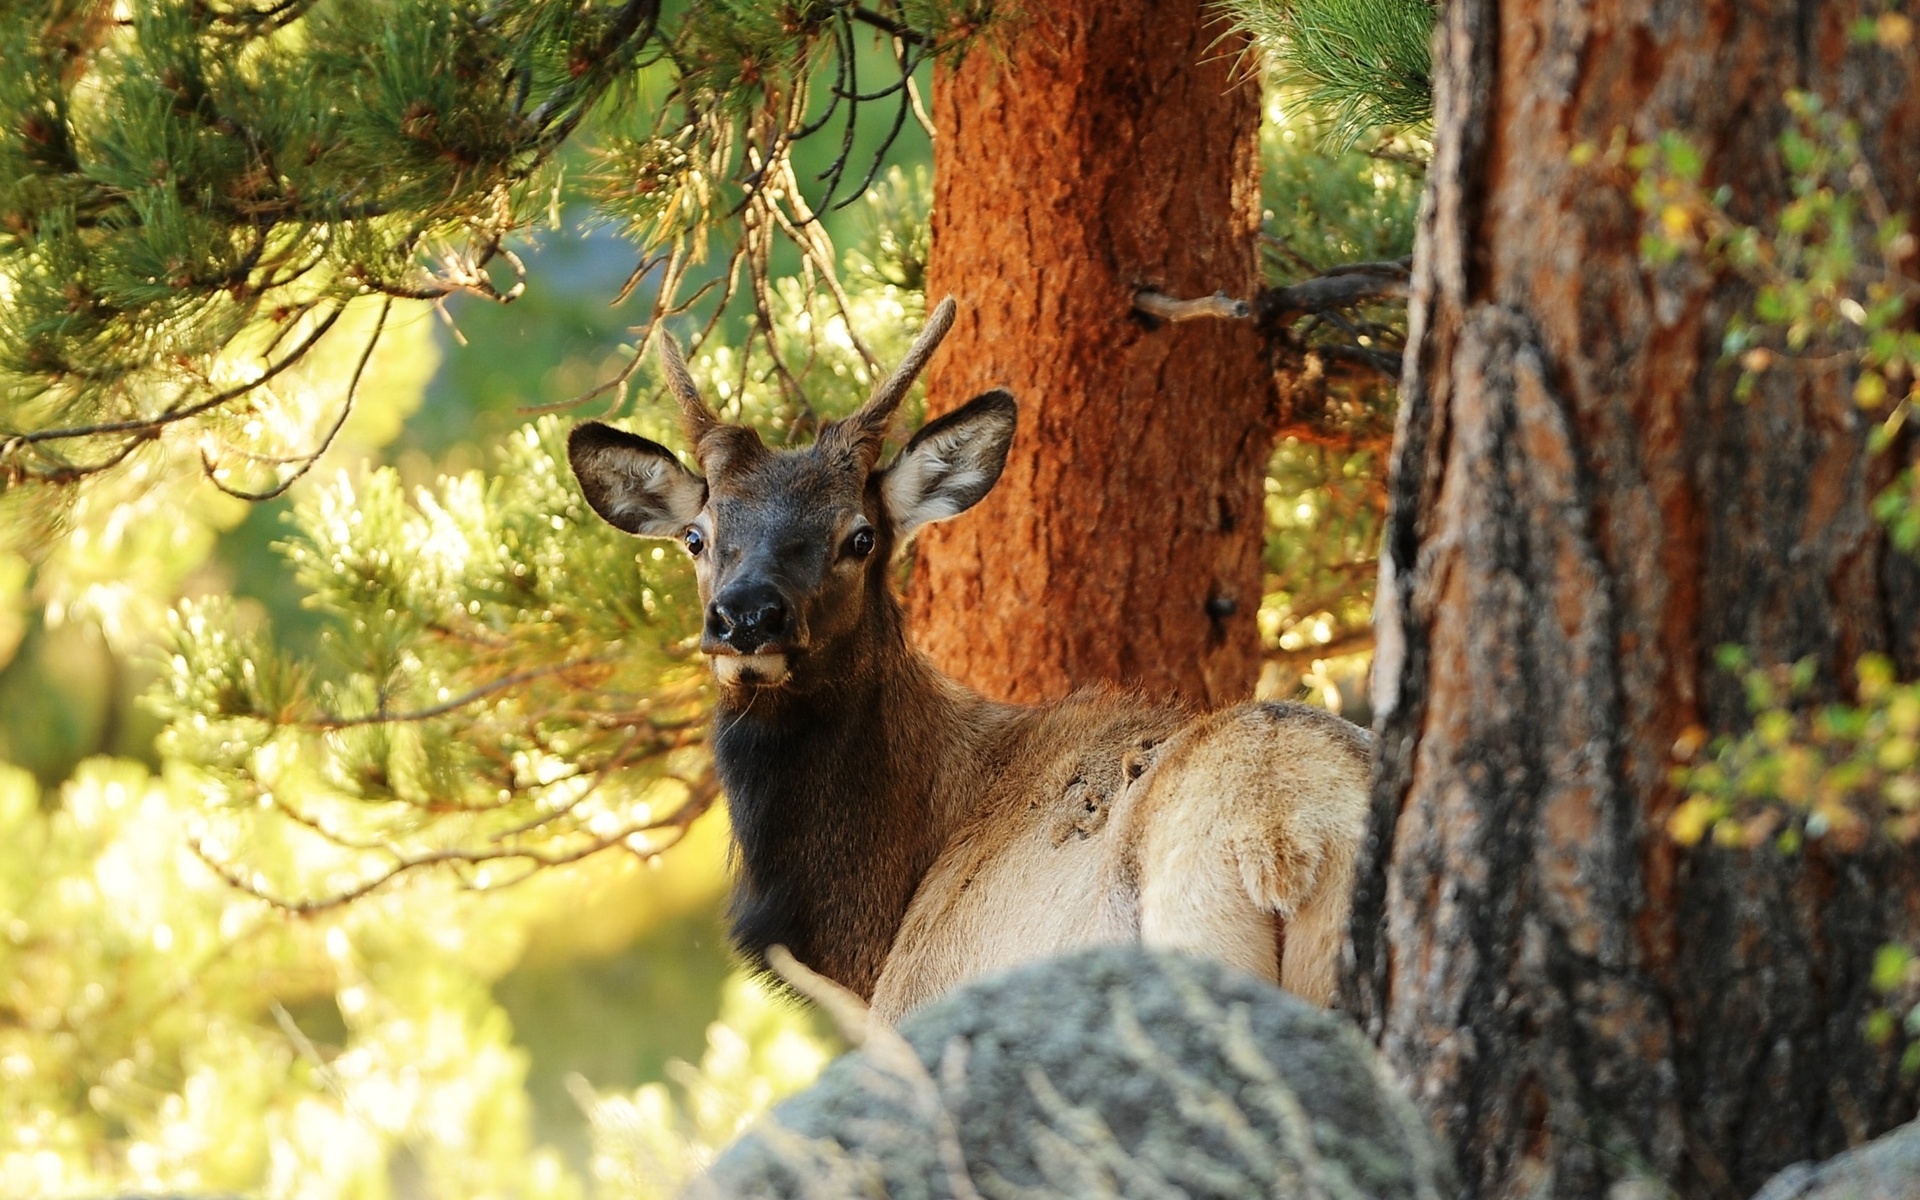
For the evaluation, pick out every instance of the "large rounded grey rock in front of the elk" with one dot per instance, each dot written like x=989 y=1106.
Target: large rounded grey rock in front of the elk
x=1113 y=1072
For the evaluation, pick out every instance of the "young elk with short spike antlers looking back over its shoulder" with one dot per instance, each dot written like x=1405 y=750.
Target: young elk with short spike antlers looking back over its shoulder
x=900 y=832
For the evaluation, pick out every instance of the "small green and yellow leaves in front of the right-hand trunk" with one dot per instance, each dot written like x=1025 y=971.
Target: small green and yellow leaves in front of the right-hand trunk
x=1833 y=287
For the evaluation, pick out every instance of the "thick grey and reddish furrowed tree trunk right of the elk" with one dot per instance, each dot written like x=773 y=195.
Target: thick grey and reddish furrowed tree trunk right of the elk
x=1581 y=514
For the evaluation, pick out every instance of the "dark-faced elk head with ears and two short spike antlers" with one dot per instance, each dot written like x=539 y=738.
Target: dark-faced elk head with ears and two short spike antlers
x=792 y=546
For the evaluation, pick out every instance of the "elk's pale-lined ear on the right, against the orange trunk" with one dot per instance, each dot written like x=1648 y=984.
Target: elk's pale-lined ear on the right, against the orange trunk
x=951 y=464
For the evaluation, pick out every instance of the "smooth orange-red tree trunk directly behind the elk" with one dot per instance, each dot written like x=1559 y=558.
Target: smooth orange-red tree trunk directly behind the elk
x=1111 y=149
